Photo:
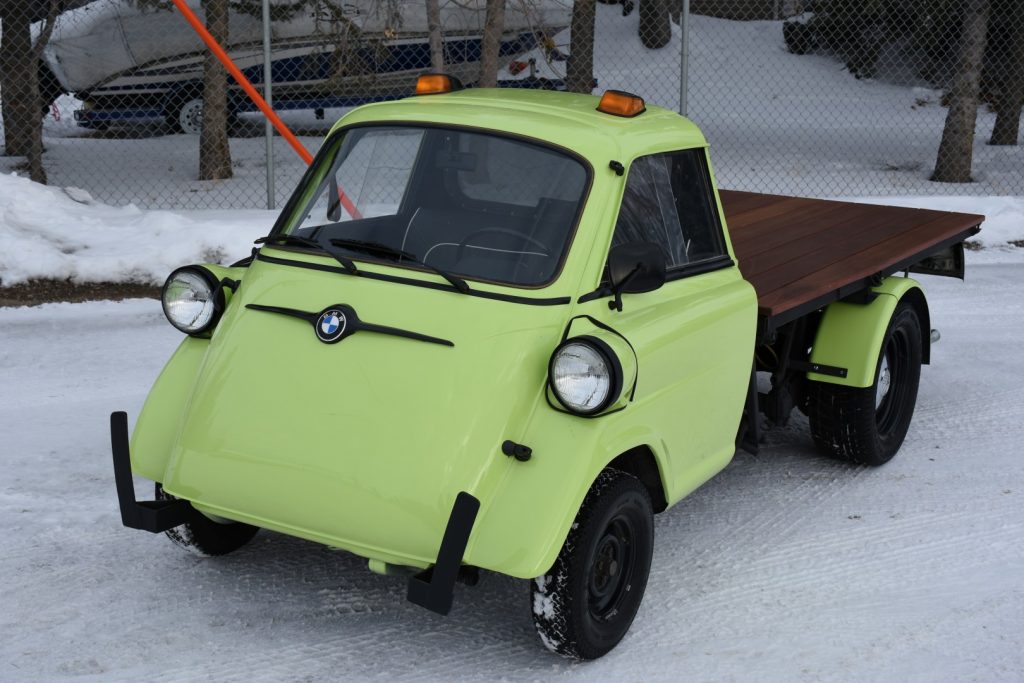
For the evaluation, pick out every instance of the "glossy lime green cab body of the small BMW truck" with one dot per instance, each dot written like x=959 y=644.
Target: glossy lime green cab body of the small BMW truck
x=365 y=445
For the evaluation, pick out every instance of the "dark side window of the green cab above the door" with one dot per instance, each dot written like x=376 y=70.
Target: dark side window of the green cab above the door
x=668 y=201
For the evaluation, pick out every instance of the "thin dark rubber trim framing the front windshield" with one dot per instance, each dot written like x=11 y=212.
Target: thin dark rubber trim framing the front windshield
x=293 y=201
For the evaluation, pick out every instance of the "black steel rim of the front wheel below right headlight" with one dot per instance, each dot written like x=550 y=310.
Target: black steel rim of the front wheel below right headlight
x=612 y=569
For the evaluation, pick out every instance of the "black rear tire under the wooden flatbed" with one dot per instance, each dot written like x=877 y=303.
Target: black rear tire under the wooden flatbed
x=868 y=425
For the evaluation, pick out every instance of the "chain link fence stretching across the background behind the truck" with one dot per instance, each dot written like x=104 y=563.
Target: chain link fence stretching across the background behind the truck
x=820 y=98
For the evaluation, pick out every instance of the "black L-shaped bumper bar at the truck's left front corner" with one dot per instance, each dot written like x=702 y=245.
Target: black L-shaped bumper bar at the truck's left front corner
x=155 y=517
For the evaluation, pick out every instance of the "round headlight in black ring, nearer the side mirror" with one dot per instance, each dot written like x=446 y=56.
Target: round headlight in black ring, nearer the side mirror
x=586 y=375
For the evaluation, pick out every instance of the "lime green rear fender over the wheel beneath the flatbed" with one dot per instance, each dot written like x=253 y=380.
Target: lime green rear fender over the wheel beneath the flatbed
x=850 y=335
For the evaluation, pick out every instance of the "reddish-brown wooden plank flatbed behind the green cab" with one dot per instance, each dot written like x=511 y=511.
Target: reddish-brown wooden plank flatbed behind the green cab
x=801 y=254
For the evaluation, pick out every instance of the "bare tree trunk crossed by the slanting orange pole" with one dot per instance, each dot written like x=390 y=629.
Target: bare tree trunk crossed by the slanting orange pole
x=215 y=150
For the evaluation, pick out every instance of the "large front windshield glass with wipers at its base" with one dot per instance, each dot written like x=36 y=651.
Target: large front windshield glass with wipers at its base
x=476 y=205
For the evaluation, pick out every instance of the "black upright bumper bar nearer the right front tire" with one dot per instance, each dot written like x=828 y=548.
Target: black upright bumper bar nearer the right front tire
x=435 y=588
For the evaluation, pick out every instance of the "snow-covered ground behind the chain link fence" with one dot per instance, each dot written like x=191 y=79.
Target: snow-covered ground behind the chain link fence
x=777 y=122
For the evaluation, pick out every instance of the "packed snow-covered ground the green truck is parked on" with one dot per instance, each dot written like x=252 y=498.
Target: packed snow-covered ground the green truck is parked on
x=786 y=568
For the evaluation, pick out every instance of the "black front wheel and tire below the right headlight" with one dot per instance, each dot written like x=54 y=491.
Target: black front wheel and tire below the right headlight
x=587 y=602
